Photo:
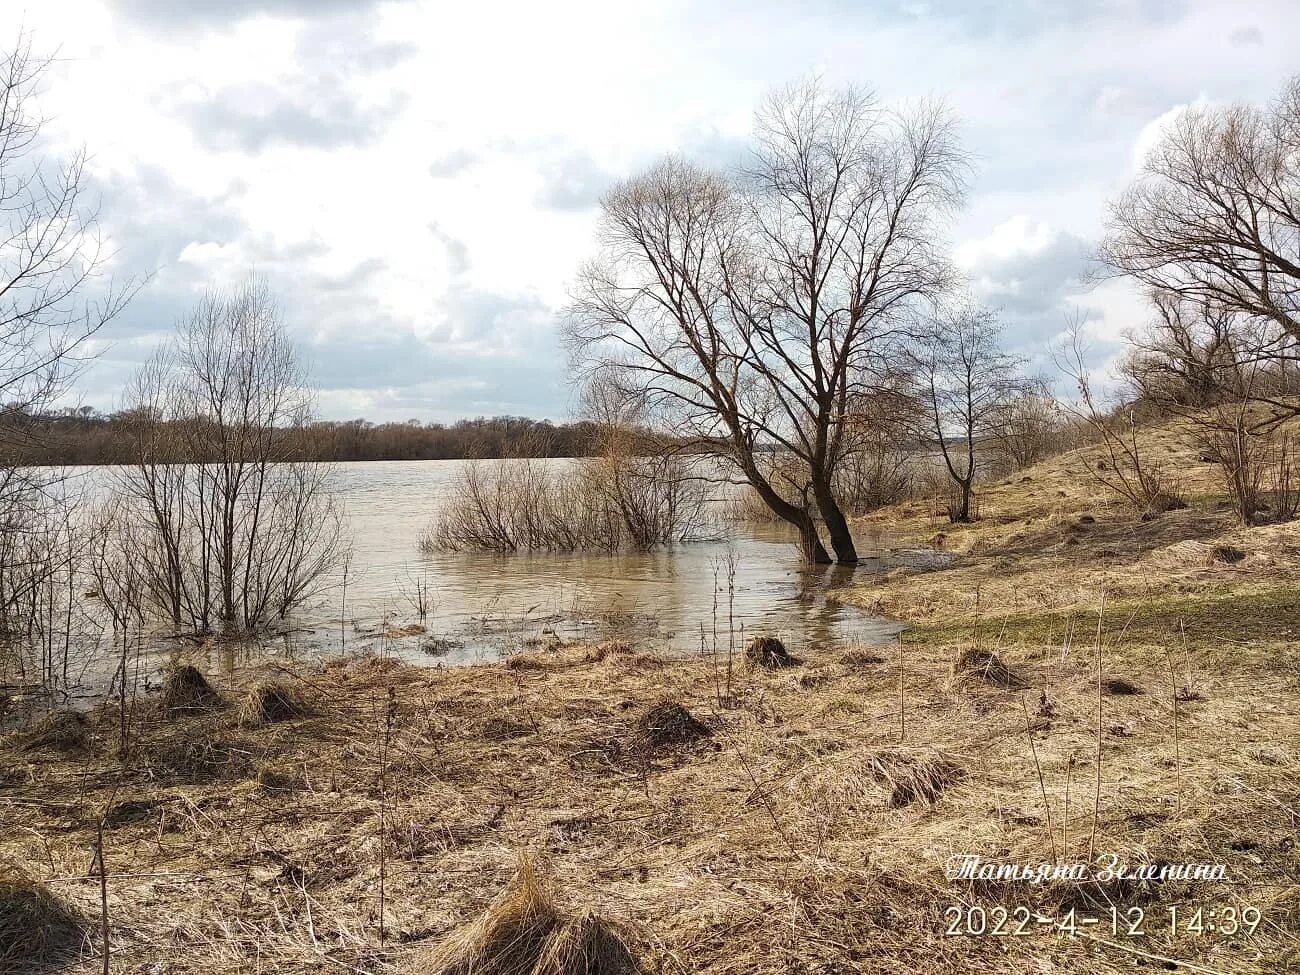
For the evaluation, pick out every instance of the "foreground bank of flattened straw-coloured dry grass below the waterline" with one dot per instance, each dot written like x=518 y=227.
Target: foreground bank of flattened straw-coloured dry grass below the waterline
x=800 y=820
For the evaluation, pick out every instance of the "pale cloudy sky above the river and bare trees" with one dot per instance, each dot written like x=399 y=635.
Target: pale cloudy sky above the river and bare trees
x=419 y=181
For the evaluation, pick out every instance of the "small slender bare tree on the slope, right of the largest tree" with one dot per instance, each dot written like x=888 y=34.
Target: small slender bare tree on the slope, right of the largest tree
x=965 y=382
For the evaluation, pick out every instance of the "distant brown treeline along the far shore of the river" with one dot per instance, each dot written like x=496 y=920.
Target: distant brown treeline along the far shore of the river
x=86 y=437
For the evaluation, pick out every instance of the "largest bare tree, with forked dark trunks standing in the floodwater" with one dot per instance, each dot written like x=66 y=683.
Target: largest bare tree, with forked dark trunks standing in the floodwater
x=749 y=310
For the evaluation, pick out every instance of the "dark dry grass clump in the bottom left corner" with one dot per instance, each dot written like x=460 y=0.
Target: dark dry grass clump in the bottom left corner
x=37 y=930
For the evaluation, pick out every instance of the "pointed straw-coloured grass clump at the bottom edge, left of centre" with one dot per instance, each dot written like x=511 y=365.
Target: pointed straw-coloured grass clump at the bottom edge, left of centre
x=523 y=933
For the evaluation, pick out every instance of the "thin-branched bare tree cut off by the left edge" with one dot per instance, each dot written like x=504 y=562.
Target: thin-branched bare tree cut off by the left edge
x=54 y=298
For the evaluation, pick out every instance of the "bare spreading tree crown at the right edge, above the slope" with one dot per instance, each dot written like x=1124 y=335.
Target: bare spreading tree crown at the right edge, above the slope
x=1215 y=215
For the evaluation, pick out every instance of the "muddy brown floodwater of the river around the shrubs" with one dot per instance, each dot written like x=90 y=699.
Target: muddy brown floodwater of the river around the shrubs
x=482 y=606
